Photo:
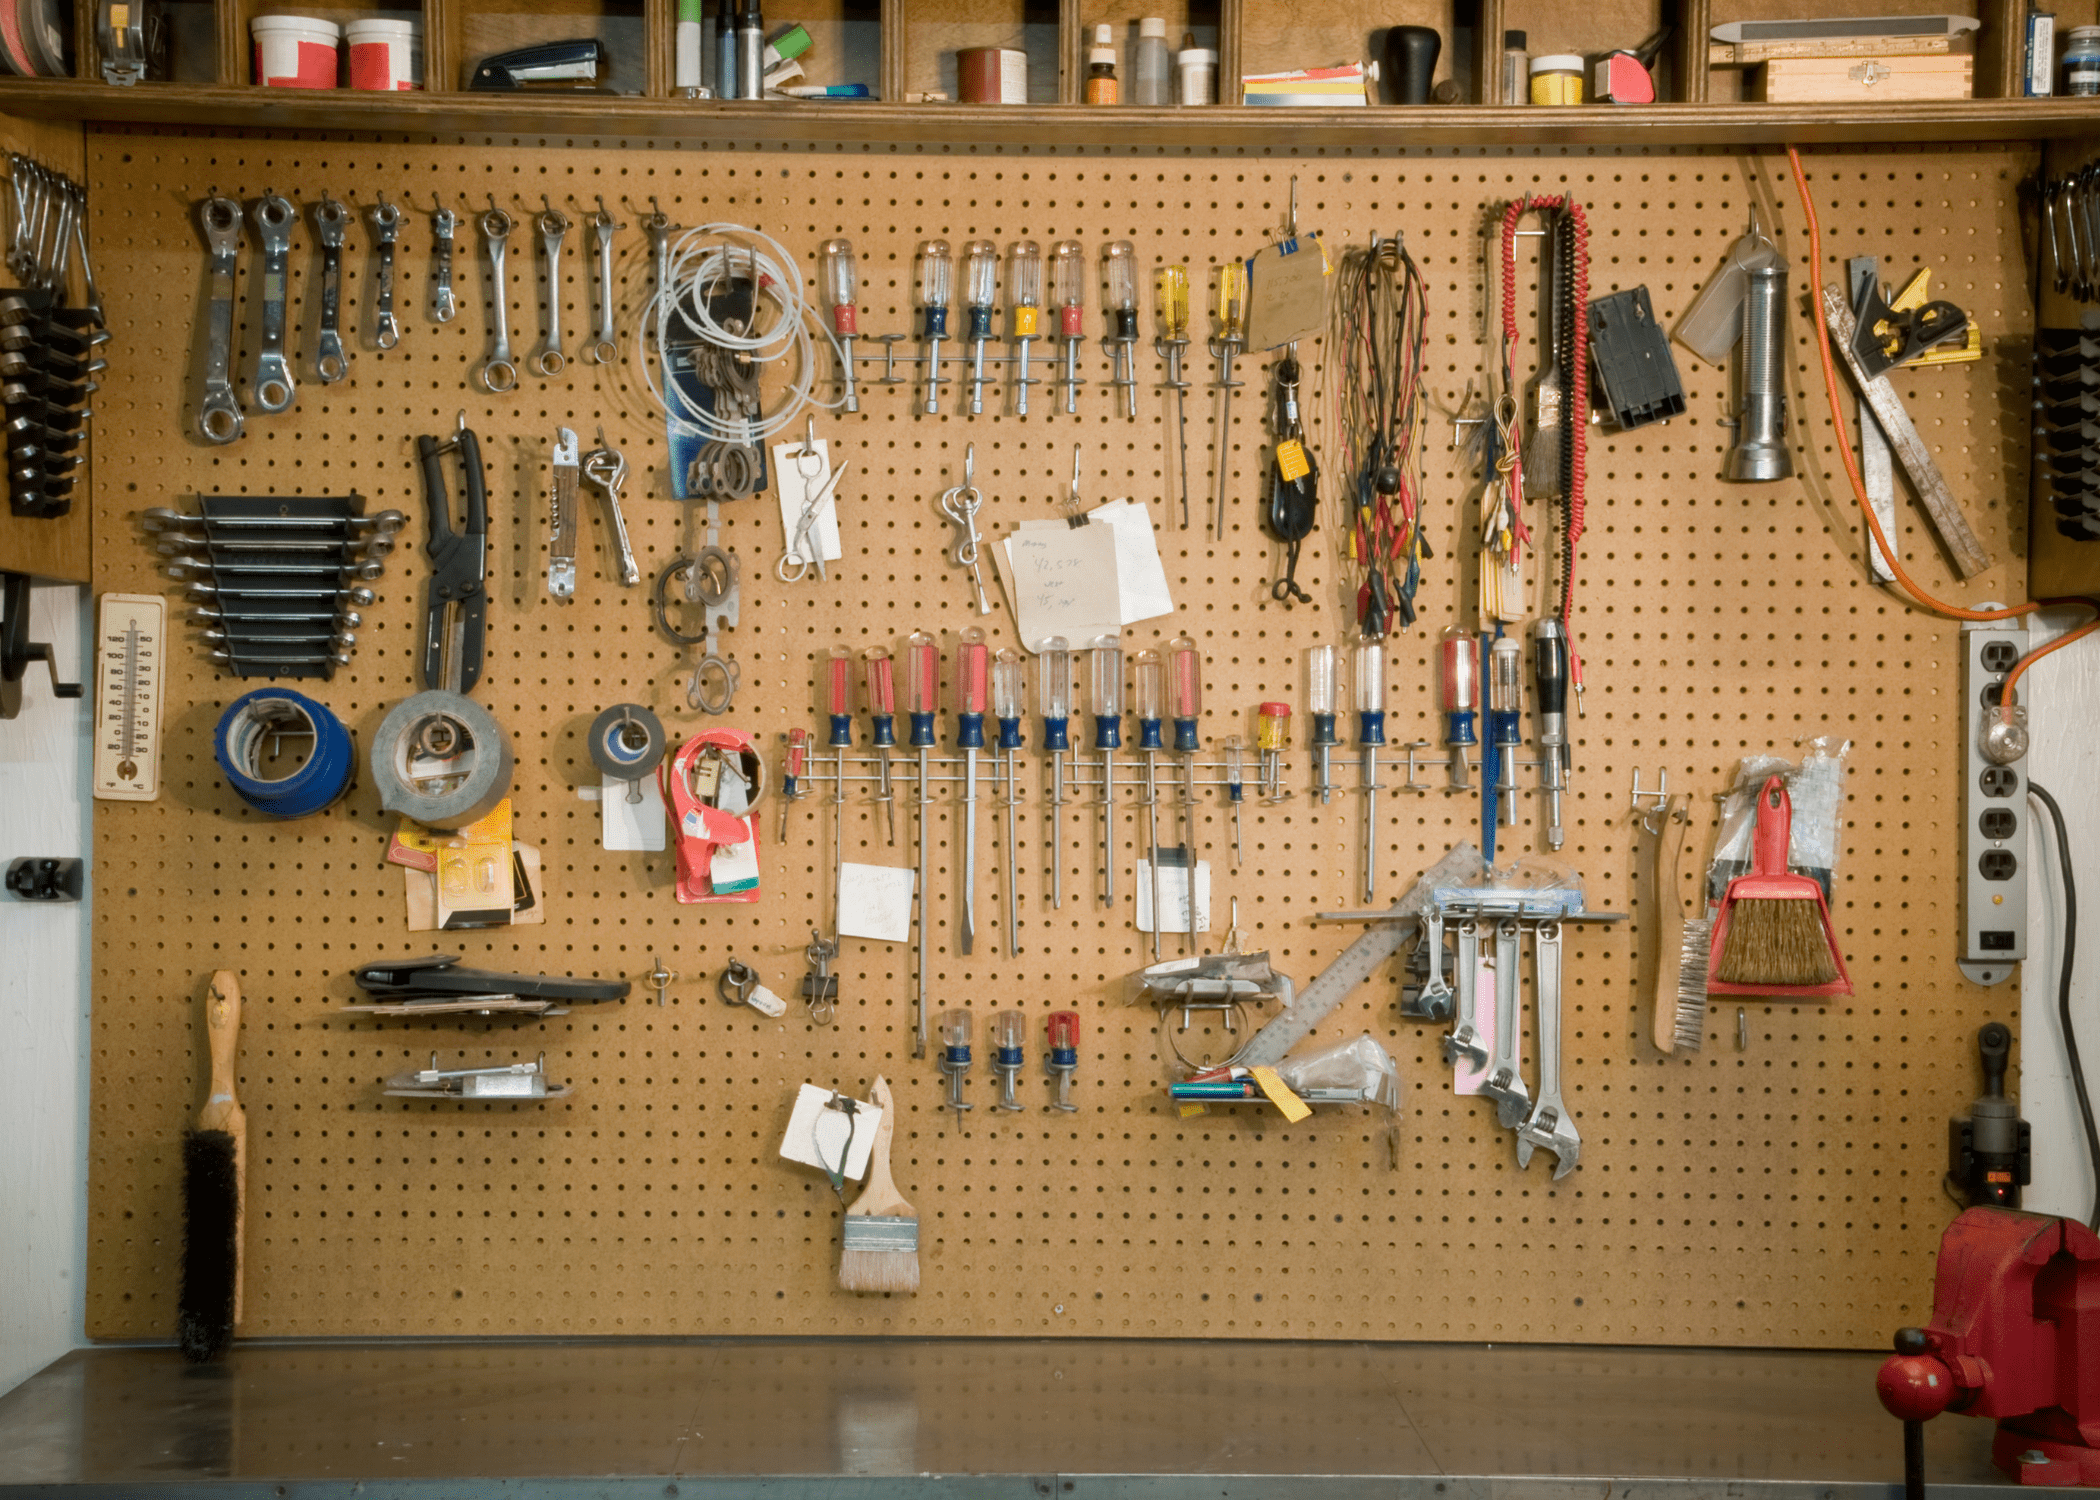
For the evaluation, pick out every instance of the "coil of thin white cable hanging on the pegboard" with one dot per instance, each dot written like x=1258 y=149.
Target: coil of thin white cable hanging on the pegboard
x=707 y=259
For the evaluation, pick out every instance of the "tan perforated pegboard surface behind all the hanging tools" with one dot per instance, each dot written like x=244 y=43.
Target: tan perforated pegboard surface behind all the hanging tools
x=1788 y=1194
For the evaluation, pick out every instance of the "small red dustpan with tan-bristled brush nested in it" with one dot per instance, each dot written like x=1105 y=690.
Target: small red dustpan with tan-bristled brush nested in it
x=1773 y=936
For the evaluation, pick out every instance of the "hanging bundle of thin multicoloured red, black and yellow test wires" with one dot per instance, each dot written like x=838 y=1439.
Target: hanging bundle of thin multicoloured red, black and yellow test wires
x=1383 y=329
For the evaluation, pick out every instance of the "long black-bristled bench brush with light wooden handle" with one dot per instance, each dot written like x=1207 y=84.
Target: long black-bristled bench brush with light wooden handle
x=215 y=1188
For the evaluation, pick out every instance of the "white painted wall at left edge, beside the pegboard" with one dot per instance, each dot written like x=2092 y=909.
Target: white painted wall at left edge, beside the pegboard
x=45 y=1009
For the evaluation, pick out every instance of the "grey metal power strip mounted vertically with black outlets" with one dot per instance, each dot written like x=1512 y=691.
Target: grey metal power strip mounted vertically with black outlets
x=1994 y=814
